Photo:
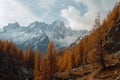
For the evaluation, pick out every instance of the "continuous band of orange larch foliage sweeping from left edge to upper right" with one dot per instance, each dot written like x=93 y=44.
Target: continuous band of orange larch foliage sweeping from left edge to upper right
x=90 y=50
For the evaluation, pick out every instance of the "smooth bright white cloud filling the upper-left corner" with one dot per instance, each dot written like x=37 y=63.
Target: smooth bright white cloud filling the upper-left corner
x=12 y=11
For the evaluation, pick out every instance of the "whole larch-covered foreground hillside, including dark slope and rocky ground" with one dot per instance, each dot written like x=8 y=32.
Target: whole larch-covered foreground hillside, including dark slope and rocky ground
x=95 y=57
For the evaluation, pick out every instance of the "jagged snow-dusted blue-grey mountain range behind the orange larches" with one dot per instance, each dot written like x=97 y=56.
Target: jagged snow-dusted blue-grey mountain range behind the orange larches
x=38 y=34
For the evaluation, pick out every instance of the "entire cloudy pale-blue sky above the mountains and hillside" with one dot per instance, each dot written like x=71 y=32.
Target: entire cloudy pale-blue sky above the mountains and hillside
x=78 y=14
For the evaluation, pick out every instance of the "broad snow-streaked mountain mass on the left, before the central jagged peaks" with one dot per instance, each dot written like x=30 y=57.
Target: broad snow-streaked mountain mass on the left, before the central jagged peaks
x=24 y=38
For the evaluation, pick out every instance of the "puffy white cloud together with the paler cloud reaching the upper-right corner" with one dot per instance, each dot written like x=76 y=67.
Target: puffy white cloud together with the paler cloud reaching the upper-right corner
x=86 y=21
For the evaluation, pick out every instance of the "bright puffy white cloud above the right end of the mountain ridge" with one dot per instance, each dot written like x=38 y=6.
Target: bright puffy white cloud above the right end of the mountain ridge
x=75 y=20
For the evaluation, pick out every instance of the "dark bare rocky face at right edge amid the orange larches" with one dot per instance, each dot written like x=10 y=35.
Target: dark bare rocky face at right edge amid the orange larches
x=114 y=39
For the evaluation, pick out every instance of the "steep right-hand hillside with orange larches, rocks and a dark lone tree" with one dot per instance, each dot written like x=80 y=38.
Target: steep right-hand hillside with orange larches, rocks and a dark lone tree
x=97 y=55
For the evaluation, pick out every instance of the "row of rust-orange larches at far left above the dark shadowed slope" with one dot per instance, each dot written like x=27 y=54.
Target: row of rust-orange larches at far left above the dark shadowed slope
x=10 y=49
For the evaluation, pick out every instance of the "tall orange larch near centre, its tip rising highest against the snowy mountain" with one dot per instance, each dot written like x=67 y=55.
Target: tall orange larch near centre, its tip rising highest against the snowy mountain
x=51 y=56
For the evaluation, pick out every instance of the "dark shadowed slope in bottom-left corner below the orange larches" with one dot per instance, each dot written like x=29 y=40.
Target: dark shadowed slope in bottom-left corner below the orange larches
x=12 y=68
